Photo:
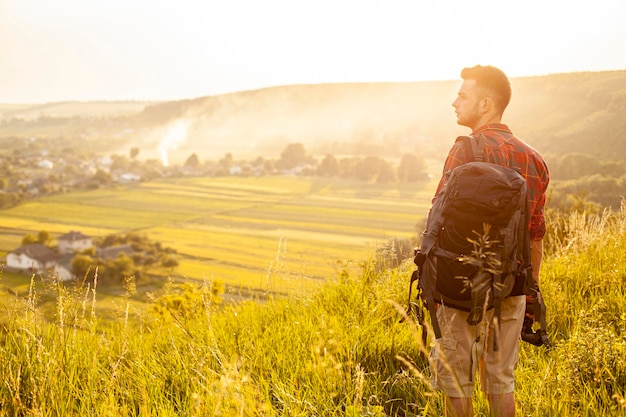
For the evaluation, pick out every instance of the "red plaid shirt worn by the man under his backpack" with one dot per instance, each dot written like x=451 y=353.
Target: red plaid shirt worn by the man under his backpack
x=504 y=148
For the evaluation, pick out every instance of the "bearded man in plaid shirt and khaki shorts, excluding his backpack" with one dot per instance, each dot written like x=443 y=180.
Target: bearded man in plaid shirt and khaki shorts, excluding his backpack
x=484 y=95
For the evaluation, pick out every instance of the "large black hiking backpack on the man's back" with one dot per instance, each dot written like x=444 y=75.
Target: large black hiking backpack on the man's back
x=476 y=245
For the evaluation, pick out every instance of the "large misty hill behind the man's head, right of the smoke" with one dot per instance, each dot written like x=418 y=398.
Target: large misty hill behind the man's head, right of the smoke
x=553 y=113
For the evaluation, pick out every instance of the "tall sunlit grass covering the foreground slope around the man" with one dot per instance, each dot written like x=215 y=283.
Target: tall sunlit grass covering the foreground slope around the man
x=336 y=351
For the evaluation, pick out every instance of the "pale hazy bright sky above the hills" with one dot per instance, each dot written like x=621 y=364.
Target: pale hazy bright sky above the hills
x=165 y=50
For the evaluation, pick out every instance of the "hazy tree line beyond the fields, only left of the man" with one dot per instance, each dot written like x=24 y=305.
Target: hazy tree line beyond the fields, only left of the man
x=22 y=177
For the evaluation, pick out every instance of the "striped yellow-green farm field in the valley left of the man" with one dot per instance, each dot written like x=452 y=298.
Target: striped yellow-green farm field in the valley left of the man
x=271 y=233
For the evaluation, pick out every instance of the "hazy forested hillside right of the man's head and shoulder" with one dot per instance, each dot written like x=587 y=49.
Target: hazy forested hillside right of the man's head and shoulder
x=580 y=112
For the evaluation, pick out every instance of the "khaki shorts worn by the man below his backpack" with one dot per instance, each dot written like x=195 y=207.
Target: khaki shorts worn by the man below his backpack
x=464 y=349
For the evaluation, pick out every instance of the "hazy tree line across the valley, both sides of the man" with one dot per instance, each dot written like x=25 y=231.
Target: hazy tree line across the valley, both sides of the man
x=577 y=178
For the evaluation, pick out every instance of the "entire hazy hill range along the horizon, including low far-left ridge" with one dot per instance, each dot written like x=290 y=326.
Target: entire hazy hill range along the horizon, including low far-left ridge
x=555 y=113
